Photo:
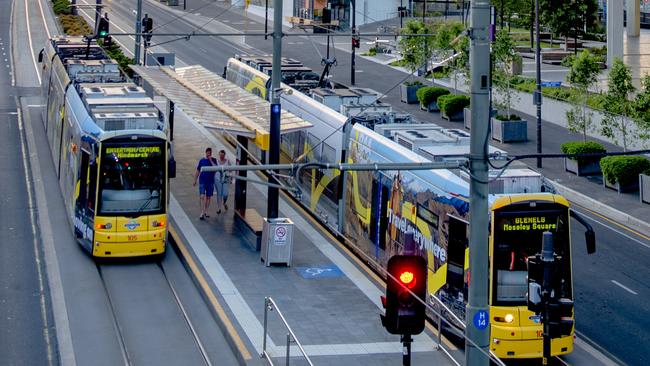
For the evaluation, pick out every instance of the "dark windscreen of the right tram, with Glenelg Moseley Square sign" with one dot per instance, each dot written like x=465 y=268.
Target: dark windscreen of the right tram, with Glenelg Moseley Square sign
x=518 y=235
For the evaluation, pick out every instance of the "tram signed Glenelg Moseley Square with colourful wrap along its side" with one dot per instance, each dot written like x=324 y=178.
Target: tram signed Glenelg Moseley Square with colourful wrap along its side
x=384 y=211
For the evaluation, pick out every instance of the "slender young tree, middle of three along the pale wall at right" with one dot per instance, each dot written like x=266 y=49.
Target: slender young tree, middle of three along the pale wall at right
x=616 y=123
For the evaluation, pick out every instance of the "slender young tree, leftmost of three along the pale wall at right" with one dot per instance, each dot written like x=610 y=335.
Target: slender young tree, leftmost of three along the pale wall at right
x=583 y=73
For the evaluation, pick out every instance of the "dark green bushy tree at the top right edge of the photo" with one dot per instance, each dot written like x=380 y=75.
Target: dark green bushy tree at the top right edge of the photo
x=568 y=17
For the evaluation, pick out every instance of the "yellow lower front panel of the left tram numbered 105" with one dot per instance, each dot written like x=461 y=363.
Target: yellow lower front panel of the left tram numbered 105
x=126 y=237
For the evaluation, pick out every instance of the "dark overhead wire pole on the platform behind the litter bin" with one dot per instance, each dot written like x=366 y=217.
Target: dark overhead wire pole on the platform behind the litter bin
x=276 y=77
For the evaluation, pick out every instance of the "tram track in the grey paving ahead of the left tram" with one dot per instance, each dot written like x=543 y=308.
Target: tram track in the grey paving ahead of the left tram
x=132 y=354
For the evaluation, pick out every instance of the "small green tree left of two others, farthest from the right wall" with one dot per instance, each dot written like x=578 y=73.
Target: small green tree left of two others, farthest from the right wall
x=416 y=50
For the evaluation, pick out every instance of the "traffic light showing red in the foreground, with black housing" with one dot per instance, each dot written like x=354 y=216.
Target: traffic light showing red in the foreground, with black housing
x=404 y=312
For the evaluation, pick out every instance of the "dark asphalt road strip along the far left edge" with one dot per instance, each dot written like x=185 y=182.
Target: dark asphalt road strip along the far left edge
x=23 y=311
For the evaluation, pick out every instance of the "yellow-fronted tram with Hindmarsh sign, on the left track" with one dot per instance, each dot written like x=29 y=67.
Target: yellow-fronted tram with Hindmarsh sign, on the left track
x=111 y=151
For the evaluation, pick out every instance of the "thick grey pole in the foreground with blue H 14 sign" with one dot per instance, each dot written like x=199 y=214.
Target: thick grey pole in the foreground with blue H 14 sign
x=477 y=329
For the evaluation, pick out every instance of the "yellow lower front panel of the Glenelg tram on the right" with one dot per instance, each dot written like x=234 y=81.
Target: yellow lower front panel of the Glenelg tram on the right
x=515 y=334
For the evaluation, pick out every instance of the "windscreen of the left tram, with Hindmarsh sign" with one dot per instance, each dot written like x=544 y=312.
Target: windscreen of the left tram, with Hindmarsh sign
x=132 y=179
